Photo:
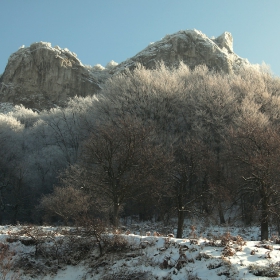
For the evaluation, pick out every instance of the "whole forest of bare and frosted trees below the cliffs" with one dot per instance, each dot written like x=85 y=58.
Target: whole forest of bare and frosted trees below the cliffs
x=155 y=144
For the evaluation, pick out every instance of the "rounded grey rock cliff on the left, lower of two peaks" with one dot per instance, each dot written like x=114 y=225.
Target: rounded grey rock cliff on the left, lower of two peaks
x=43 y=77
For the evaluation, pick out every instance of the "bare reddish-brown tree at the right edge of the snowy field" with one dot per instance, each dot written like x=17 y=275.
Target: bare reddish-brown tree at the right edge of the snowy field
x=257 y=150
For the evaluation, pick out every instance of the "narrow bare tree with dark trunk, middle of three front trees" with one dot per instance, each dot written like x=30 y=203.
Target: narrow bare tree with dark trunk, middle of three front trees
x=188 y=168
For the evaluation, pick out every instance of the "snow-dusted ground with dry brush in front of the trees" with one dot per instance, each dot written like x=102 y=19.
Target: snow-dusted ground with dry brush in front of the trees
x=138 y=252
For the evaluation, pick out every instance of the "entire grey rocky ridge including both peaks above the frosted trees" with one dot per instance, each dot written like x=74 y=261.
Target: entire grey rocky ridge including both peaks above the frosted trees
x=42 y=77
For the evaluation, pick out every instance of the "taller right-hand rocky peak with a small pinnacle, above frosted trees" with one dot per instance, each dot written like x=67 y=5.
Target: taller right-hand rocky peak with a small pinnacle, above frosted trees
x=193 y=48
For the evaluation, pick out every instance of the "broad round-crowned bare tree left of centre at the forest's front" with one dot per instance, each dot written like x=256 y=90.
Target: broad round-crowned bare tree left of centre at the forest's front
x=122 y=160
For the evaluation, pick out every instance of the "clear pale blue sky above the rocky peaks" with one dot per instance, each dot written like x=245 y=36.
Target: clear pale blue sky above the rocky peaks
x=102 y=30
